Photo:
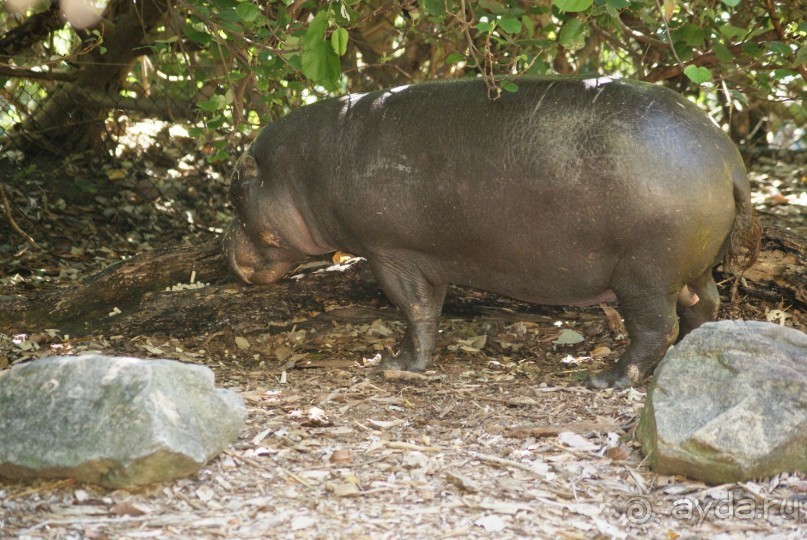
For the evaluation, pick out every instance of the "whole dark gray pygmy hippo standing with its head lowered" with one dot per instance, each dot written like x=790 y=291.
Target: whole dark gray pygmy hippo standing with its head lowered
x=569 y=191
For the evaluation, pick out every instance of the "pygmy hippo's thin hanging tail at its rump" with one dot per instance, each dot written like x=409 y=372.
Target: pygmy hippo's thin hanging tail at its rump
x=746 y=236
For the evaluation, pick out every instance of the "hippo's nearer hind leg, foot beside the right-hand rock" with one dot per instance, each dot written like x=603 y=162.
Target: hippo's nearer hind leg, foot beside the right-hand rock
x=652 y=323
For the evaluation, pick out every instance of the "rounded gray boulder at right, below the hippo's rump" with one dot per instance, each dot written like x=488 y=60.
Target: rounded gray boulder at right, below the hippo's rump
x=729 y=403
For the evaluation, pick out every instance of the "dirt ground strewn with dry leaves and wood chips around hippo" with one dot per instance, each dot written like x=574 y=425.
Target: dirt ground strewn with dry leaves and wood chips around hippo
x=500 y=440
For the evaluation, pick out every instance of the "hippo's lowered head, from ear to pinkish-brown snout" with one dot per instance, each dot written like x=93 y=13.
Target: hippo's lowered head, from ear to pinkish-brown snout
x=252 y=248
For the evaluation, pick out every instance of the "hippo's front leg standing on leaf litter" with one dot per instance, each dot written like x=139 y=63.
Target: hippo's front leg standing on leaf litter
x=421 y=302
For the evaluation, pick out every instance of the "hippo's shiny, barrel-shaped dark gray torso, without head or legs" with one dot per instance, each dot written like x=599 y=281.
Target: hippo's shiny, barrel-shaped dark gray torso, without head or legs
x=581 y=173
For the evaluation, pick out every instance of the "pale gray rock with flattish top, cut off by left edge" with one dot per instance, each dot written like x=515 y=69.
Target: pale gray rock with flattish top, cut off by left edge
x=114 y=421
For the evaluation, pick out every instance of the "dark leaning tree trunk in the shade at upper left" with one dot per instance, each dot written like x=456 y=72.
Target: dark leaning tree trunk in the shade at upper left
x=70 y=120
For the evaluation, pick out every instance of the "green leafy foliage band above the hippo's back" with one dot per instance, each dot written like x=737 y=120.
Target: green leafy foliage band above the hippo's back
x=232 y=65
